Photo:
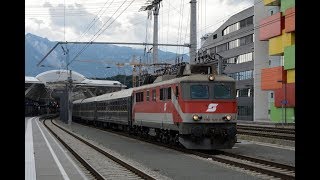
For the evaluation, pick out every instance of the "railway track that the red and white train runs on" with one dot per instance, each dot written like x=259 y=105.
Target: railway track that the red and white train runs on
x=265 y=167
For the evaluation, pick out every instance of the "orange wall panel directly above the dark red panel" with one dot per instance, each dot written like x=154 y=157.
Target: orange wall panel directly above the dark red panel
x=270 y=76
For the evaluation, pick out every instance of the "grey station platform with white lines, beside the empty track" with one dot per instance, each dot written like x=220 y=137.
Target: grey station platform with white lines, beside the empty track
x=45 y=157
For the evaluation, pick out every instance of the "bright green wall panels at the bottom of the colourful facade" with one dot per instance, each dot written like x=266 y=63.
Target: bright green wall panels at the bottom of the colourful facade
x=276 y=114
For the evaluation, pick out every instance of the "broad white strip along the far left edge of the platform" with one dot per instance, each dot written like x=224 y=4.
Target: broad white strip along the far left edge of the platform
x=30 y=167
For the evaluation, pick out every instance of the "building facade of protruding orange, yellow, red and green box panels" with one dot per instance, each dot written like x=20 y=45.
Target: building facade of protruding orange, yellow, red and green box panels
x=279 y=30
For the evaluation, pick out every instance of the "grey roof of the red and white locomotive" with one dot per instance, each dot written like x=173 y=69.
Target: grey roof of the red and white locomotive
x=195 y=77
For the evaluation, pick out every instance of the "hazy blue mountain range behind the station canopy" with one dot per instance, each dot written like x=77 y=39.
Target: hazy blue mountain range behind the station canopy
x=89 y=63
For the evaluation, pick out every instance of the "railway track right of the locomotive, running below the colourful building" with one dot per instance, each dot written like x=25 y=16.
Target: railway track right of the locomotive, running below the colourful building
x=276 y=133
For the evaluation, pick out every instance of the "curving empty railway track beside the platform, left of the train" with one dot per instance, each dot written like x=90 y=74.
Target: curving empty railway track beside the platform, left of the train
x=101 y=164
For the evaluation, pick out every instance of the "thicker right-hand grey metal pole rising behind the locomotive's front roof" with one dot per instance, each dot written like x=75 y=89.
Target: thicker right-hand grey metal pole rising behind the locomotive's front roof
x=193 y=31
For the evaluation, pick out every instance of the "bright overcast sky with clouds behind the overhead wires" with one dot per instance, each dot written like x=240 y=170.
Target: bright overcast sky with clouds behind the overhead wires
x=121 y=20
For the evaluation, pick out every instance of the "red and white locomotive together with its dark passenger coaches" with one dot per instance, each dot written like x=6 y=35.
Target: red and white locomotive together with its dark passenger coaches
x=196 y=110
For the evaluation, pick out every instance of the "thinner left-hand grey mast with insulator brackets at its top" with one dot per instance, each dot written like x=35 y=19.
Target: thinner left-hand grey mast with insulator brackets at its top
x=155 y=33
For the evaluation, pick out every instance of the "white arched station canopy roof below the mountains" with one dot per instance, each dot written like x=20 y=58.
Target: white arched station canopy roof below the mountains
x=45 y=84
